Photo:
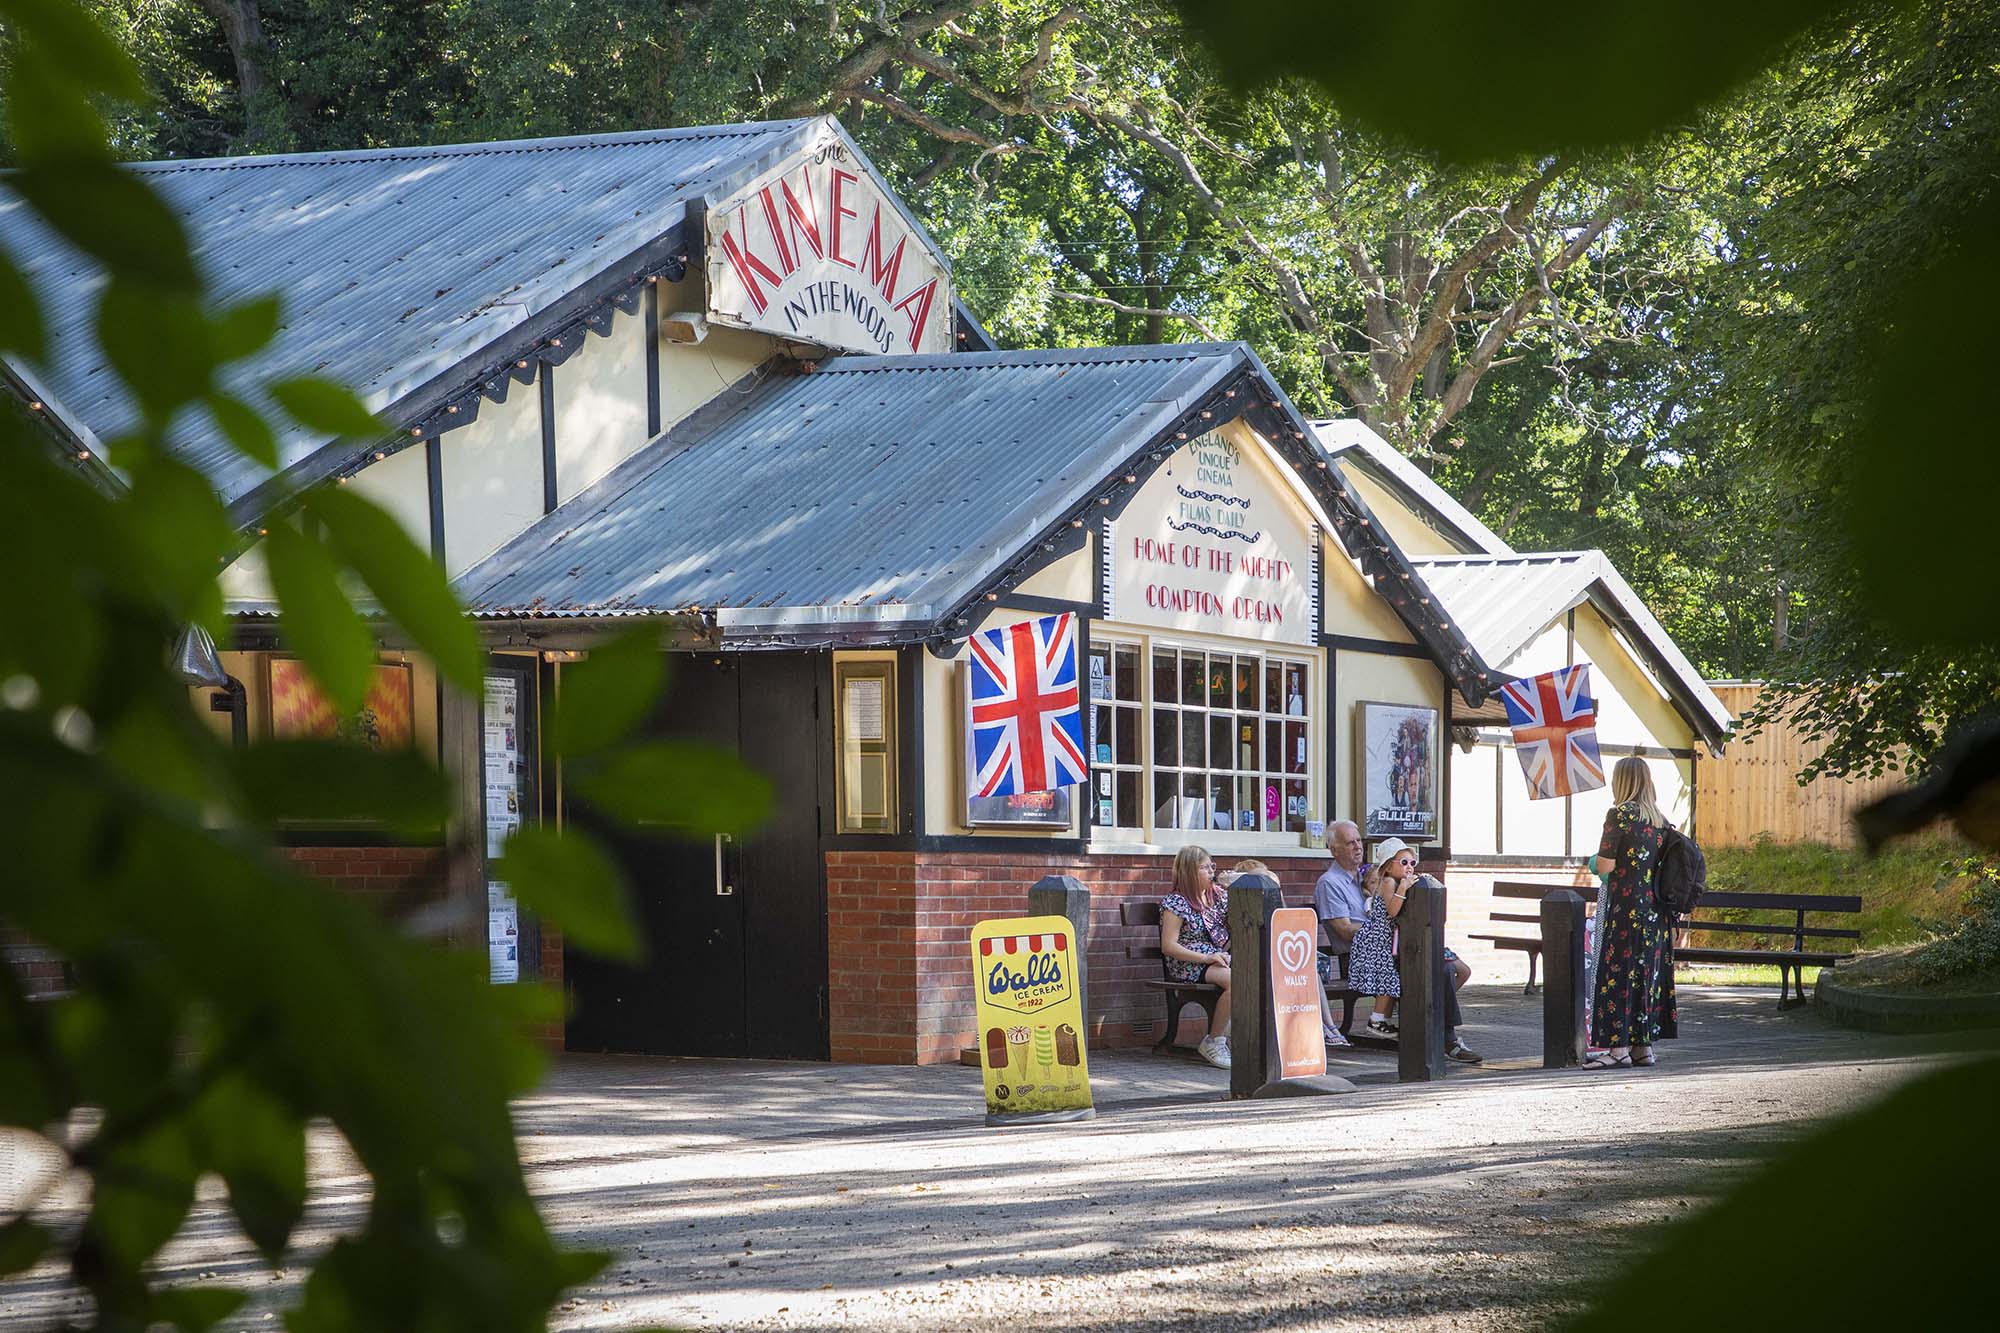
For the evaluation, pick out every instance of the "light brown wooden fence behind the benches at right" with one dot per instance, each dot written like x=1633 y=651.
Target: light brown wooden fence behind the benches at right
x=1753 y=790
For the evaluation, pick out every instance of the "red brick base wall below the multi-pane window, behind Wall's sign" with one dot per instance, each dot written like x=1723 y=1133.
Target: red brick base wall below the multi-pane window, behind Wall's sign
x=899 y=968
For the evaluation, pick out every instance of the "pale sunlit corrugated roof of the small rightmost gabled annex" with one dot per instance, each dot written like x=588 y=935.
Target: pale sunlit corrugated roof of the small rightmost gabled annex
x=1505 y=601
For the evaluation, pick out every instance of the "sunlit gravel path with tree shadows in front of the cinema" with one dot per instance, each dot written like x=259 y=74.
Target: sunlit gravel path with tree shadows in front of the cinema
x=813 y=1196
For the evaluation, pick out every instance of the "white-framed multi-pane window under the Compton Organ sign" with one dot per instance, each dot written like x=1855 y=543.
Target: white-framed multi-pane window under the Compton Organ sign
x=1229 y=740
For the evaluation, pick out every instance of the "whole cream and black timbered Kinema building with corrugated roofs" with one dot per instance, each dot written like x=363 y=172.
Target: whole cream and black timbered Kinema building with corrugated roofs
x=719 y=381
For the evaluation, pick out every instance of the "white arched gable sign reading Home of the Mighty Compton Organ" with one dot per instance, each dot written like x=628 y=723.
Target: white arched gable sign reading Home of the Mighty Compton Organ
x=1217 y=543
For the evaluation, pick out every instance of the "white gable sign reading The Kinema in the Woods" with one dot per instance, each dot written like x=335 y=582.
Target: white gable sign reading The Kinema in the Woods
x=817 y=251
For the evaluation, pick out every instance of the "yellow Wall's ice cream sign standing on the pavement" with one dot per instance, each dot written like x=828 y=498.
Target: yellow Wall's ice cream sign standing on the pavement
x=1031 y=1016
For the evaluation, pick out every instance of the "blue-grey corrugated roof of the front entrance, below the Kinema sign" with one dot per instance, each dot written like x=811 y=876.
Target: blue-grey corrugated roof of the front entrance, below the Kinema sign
x=871 y=481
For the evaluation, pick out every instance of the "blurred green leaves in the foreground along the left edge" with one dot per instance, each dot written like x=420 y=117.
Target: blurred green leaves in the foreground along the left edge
x=221 y=1002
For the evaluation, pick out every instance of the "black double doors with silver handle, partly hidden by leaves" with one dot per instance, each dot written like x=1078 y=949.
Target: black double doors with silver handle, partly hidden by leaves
x=735 y=930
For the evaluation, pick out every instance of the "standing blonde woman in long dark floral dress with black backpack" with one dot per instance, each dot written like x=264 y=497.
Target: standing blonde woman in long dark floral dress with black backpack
x=1633 y=1002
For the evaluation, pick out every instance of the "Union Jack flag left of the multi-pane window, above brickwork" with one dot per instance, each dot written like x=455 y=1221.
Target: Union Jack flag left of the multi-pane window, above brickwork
x=1027 y=730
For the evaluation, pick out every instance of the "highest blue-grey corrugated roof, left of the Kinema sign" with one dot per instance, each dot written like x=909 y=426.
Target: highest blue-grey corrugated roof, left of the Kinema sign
x=395 y=263
